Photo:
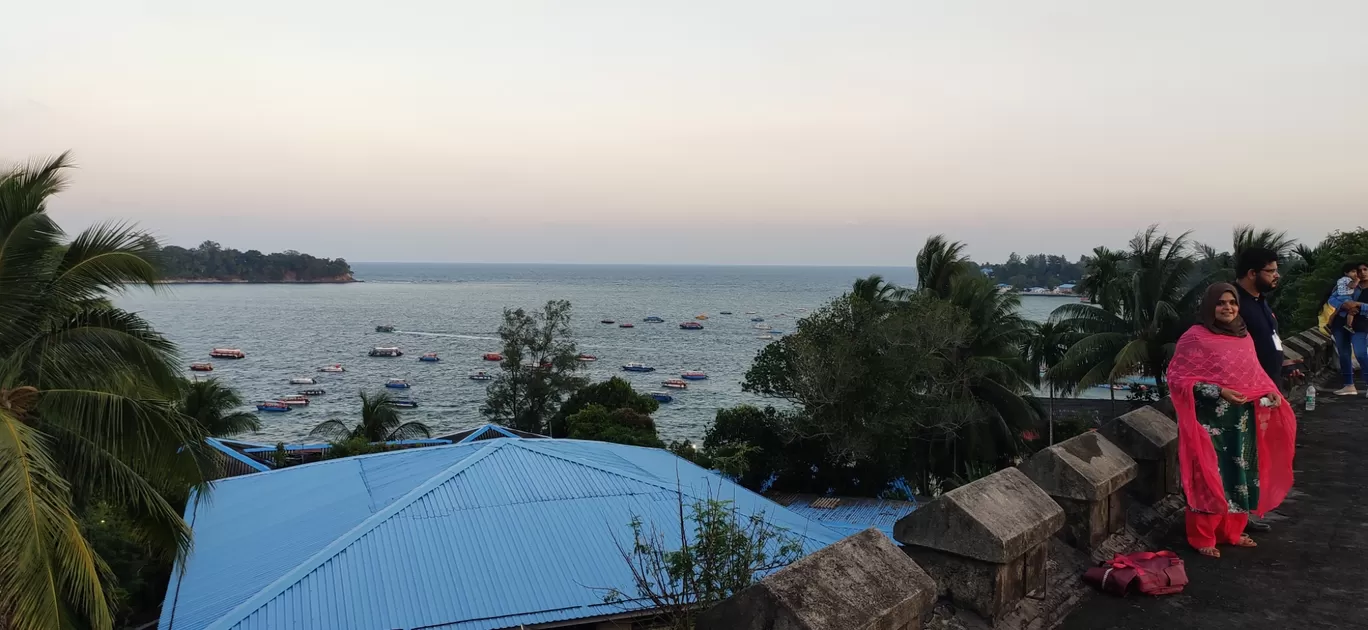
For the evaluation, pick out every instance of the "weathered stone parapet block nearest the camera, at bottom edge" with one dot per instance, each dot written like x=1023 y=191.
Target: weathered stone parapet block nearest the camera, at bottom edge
x=861 y=583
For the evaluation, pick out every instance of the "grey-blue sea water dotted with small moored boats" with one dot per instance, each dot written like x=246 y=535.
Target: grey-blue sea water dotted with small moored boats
x=455 y=310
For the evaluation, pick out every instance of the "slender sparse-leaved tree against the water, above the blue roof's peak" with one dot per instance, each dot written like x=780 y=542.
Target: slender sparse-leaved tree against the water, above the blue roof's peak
x=538 y=371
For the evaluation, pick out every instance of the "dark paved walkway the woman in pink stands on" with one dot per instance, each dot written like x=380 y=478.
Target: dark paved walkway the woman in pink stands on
x=1310 y=572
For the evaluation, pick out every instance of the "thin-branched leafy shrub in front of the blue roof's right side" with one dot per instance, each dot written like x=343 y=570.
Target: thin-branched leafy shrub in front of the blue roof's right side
x=726 y=554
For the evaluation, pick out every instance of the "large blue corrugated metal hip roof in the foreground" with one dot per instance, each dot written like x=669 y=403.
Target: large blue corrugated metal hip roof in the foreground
x=488 y=535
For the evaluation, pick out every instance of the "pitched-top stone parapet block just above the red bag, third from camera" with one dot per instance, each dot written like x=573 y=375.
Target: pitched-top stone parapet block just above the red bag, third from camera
x=1086 y=475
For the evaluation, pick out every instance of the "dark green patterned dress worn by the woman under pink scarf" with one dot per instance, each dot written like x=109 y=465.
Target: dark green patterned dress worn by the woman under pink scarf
x=1232 y=428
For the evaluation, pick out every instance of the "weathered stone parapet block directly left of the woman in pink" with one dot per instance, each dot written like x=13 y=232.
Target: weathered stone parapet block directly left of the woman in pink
x=1151 y=439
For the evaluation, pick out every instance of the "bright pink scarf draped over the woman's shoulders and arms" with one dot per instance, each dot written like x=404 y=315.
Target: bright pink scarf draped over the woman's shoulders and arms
x=1231 y=363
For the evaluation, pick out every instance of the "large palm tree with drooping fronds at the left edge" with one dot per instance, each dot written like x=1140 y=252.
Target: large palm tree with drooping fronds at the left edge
x=87 y=408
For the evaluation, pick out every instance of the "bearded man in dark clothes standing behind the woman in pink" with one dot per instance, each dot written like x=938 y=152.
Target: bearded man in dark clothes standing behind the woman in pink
x=1257 y=277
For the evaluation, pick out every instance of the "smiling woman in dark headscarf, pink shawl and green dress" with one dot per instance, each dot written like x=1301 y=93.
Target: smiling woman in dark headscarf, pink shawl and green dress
x=1236 y=435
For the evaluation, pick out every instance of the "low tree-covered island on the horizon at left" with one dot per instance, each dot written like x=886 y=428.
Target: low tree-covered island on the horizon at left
x=211 y=263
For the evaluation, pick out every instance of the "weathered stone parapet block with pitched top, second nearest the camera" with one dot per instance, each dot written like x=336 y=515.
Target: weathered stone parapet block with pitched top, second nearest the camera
x=984 y=542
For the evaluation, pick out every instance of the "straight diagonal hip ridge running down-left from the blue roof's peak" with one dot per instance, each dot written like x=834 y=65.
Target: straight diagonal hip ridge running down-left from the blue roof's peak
x=341 y=543
